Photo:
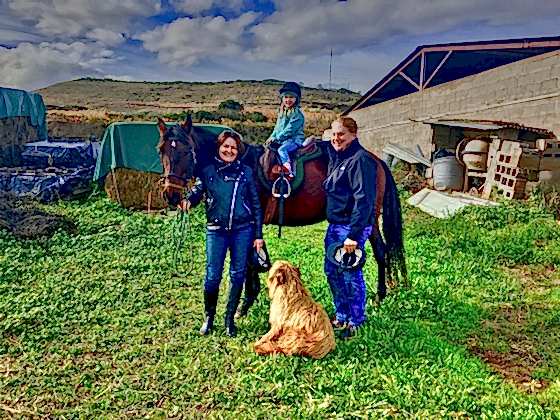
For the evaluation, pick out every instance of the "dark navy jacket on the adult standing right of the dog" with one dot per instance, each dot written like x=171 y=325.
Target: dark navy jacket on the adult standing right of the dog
x=351 y=188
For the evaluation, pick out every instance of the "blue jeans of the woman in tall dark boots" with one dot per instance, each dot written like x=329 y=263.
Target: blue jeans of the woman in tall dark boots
x=217 y=243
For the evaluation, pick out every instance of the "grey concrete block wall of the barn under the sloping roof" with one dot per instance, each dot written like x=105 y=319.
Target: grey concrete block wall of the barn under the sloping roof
x=525 y=92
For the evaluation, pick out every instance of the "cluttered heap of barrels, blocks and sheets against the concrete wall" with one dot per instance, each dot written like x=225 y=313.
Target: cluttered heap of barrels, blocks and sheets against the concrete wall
x=479 y=158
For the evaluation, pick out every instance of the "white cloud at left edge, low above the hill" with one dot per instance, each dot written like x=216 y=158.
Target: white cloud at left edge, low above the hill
x=30 y=66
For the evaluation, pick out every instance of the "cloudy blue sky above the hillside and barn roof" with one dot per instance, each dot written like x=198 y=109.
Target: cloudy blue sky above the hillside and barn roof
x=43 y=42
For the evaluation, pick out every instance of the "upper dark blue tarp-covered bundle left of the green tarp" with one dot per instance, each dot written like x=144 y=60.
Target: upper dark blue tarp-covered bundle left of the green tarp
x=61 y=154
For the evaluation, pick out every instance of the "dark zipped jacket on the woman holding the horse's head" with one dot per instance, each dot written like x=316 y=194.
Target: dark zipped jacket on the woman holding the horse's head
x=232 y=201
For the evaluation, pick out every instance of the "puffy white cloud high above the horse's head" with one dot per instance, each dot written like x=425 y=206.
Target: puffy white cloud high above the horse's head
x=187 y=41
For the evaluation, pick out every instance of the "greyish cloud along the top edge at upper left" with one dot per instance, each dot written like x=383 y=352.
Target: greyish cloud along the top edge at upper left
x=71 y=18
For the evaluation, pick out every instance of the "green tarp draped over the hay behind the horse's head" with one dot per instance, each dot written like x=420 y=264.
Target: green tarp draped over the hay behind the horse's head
x=132 y=145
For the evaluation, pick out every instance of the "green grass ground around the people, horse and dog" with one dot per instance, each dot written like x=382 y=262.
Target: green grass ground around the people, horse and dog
x=95 y=325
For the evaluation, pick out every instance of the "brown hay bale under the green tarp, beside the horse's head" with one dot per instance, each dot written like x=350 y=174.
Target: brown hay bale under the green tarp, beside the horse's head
x=131 y=188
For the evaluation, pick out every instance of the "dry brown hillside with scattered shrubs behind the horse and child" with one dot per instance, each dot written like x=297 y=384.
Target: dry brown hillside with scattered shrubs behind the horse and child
x=84 y=107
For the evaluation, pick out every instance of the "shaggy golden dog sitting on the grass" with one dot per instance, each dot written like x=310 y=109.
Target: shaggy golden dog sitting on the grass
x=298 y=325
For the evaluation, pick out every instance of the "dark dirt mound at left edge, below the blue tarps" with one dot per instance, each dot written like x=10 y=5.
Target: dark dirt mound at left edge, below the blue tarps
x=25 y=220
